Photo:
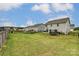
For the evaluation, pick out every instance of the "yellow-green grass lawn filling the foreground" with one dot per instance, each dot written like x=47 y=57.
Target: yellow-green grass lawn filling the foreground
x=40 y=44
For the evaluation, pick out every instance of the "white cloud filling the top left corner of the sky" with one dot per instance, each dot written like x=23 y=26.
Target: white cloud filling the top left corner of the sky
x=9 y=6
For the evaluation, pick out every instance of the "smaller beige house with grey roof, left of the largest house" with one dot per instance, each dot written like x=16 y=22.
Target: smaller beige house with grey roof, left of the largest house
x=36 y=27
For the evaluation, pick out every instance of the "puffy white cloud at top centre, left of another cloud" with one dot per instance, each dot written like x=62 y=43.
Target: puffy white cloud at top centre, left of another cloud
x=42 y=7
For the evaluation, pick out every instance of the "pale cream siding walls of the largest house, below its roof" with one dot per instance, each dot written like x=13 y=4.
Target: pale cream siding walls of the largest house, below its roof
x=63 y=27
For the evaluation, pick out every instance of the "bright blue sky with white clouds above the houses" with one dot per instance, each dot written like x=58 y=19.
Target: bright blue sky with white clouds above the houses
x=26 y=14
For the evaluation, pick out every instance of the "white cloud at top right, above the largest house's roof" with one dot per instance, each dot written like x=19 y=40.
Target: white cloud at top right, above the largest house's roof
x=62 y=6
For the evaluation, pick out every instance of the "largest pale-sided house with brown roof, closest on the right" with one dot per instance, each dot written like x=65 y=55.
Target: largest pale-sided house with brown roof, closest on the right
x=61 y=25
